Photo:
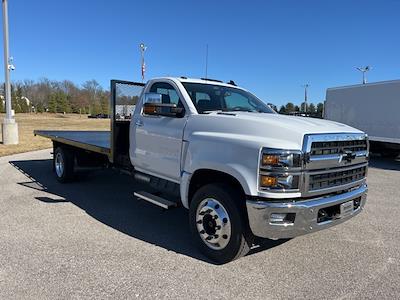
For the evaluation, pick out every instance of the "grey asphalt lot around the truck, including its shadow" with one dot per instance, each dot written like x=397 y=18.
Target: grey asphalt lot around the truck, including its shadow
x=92 y=239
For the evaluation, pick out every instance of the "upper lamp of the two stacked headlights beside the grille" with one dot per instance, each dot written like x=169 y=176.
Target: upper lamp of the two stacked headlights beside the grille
x=280 y=159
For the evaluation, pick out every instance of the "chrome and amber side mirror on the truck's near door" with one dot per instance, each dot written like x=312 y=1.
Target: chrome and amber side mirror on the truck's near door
x=153 y=106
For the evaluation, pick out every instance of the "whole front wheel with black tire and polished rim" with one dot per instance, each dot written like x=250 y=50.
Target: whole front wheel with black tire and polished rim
x=217 y=223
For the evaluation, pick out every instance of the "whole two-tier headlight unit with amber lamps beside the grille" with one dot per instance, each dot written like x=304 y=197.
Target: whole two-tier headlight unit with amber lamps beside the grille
x=280 y=170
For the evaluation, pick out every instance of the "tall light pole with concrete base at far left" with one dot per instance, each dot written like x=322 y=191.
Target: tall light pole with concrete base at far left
x=9 y=126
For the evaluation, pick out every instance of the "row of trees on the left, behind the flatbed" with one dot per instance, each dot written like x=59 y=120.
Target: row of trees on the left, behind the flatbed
x=54 y=96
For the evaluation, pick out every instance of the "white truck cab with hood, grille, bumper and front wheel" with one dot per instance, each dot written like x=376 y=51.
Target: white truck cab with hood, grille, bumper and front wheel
x=243 y=171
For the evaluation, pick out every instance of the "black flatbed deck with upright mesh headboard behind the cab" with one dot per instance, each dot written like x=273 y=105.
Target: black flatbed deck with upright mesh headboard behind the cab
x=113 y=144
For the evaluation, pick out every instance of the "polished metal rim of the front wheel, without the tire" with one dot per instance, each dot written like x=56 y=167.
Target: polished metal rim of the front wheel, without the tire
x=213 y=224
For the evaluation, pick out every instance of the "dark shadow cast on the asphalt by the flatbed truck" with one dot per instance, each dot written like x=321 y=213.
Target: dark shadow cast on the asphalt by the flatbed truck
x=108 y=197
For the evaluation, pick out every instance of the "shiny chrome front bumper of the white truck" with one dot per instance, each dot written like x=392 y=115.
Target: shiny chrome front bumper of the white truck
x=305 y=214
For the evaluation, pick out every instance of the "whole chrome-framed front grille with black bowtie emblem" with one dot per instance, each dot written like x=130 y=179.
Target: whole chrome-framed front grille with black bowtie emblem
x=334 y=162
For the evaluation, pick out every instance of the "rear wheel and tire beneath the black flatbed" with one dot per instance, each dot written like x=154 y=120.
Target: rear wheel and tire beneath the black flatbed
x=63 y=164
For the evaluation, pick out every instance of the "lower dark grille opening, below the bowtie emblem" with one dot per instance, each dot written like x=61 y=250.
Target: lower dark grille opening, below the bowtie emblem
x=336 y=178
